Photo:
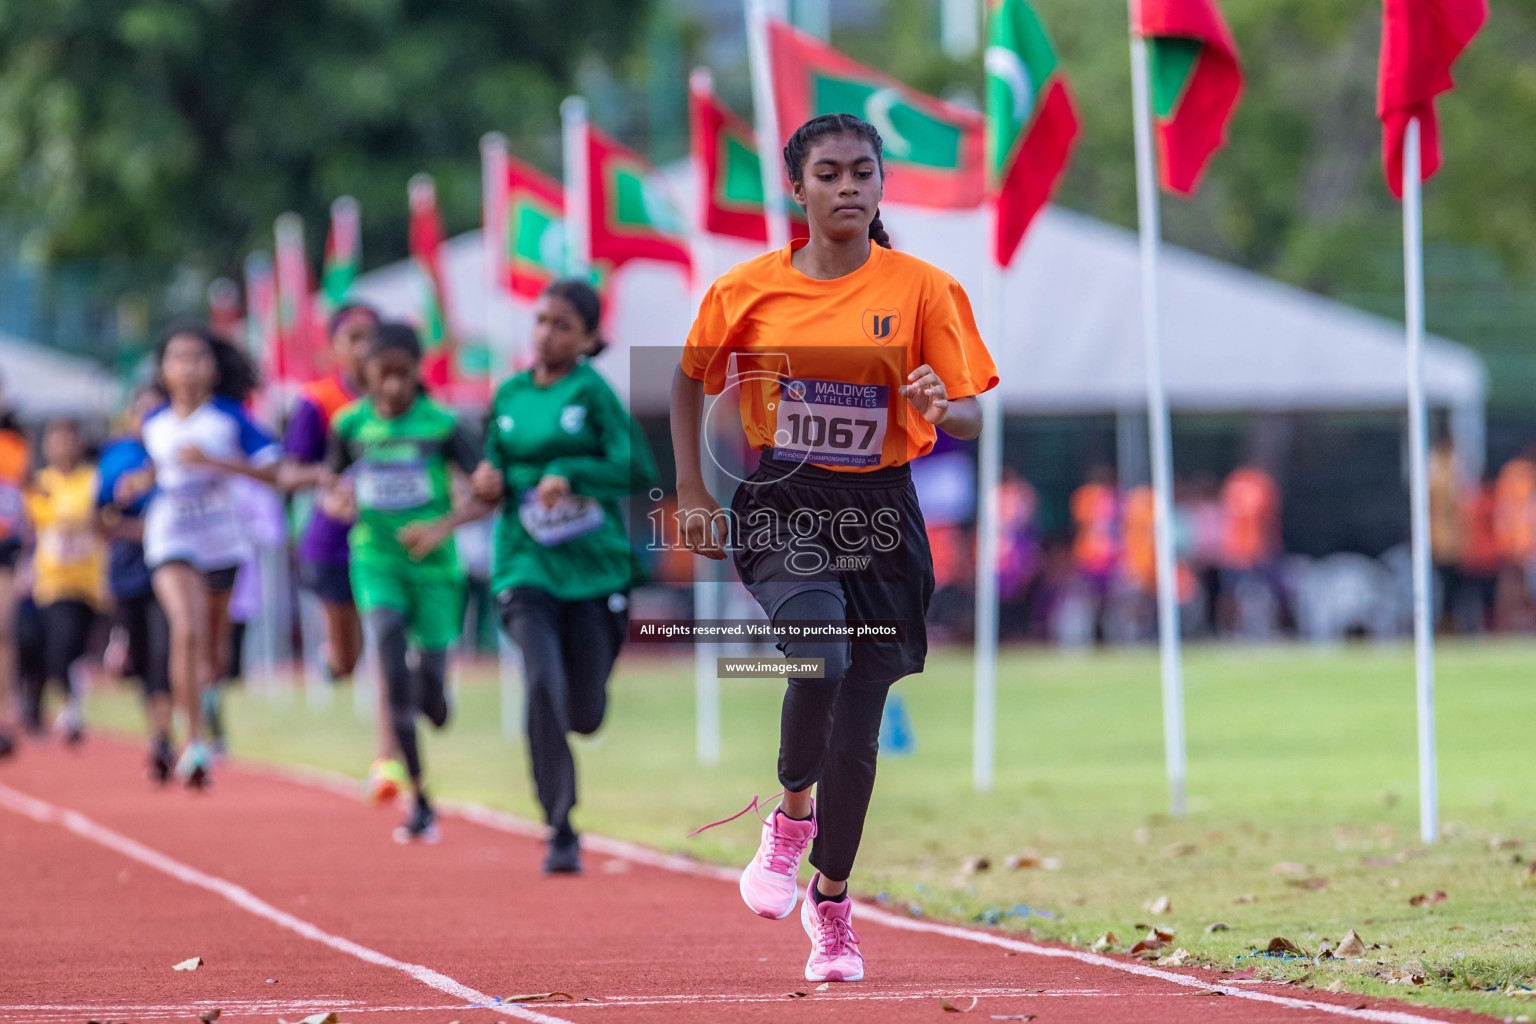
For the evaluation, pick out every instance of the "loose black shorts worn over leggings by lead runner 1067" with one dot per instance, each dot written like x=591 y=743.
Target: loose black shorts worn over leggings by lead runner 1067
x=859 y=537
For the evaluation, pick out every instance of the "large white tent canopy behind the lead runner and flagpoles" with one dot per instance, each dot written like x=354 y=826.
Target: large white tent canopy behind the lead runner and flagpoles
x=1073 y=339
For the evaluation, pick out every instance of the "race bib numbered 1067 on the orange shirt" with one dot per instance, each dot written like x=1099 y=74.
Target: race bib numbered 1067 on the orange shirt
x=832 y=423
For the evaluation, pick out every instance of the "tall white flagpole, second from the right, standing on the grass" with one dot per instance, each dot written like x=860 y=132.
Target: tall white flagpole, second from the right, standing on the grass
x=1160 y=434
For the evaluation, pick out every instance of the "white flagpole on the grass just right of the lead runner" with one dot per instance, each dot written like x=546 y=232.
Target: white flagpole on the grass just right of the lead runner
x=990 y=471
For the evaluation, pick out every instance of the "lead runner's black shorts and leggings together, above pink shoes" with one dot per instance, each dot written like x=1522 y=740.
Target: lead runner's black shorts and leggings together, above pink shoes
x=824 y=547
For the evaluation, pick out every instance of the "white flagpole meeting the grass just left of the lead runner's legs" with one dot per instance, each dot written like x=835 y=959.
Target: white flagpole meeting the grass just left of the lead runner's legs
x=706 y=576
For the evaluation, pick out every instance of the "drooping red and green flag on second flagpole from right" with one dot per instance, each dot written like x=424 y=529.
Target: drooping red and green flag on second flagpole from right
x=1196 y=84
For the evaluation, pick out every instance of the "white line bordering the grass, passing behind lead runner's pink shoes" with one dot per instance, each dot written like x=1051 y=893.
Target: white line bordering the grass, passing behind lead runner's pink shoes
x=503 y=822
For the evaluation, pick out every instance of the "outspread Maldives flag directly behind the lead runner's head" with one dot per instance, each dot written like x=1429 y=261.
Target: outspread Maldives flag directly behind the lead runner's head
x=935 y=151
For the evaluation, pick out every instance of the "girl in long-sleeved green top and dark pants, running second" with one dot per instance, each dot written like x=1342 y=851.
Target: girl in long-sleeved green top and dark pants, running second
x=560 y=454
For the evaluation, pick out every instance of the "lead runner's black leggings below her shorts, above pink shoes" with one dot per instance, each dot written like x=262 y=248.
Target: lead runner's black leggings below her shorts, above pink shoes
x=830 y=736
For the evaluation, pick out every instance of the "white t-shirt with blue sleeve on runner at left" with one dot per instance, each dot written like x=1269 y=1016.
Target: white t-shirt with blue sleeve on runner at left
x=193 y=514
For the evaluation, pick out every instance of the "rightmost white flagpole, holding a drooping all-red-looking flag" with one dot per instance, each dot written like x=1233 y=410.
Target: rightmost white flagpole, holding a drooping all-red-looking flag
x=1418 y=480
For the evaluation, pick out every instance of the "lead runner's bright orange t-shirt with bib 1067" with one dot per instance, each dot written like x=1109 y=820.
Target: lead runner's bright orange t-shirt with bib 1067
x=819 y=363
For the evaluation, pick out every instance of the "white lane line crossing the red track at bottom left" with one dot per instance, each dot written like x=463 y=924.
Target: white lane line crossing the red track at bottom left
x=74 y=822
